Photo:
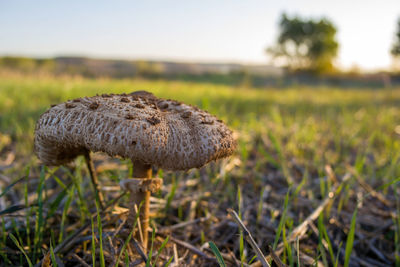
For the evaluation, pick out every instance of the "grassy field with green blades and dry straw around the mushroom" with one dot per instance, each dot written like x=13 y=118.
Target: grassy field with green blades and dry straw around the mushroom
x=299 y=149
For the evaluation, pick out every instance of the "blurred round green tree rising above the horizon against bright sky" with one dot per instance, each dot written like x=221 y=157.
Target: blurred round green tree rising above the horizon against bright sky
x=306 y=44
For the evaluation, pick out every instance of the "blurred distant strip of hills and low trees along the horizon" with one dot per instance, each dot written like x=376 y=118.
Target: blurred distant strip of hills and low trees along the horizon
x=120 y=69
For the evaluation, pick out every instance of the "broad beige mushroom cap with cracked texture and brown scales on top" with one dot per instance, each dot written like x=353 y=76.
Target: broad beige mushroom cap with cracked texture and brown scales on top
x=164 y=133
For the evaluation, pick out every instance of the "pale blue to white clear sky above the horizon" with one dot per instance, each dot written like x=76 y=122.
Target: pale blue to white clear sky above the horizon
x=204 y=31
